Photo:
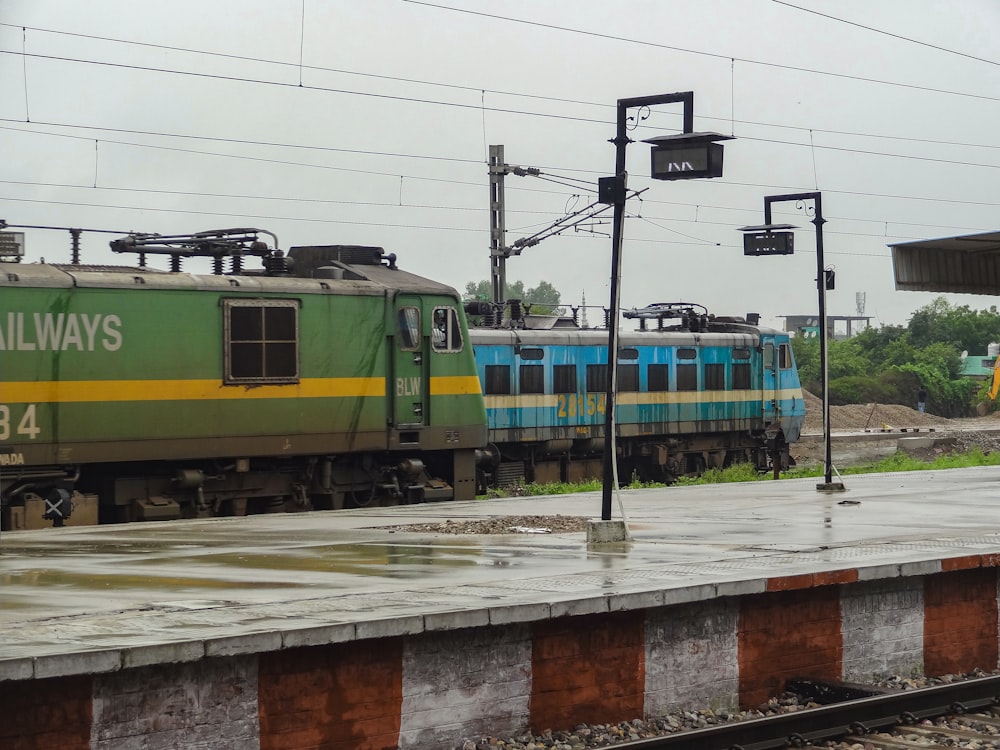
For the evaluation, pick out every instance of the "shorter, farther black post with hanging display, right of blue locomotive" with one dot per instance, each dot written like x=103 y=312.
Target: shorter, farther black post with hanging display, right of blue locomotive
x=767 y=240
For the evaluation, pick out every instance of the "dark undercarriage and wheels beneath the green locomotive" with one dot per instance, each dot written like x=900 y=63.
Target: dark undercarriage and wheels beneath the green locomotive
x=150 y=491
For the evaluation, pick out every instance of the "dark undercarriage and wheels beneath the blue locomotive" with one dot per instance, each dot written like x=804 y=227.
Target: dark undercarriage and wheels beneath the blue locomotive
x=646 y=459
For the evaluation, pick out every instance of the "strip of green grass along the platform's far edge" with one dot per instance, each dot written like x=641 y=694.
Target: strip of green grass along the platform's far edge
x=899 y=461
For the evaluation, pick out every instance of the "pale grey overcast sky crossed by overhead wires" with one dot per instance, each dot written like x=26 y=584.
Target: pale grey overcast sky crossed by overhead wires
x=369 y=121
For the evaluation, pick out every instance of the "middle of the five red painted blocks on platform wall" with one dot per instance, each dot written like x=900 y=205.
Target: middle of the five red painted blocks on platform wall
x=587 y=669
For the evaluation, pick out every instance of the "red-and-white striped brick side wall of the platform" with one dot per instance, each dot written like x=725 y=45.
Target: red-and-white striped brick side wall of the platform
x=431 y=690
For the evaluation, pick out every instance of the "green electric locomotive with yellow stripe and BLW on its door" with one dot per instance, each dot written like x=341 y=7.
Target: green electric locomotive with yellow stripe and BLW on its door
x=330 y=378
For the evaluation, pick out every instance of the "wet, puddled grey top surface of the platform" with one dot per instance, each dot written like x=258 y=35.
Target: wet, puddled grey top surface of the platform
x=236 y=585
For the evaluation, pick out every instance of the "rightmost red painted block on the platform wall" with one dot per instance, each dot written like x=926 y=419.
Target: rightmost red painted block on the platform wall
x=960 y=621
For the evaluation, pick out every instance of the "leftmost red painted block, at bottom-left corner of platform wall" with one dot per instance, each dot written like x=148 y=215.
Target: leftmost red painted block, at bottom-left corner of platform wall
x=53 y=714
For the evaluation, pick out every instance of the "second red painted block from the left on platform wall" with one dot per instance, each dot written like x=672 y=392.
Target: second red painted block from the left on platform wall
x=341 y=697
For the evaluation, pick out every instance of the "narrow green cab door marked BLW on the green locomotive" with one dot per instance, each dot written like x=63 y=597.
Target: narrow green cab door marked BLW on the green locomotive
x=408 y=390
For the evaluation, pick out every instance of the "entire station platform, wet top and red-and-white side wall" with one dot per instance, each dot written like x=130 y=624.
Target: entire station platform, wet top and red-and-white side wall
x=416 y=639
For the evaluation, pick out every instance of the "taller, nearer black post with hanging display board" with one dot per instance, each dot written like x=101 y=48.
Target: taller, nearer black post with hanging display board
x=684 y=156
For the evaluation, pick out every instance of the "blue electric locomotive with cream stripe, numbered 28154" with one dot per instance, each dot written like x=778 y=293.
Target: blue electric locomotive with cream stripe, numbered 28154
x=694 y=392
